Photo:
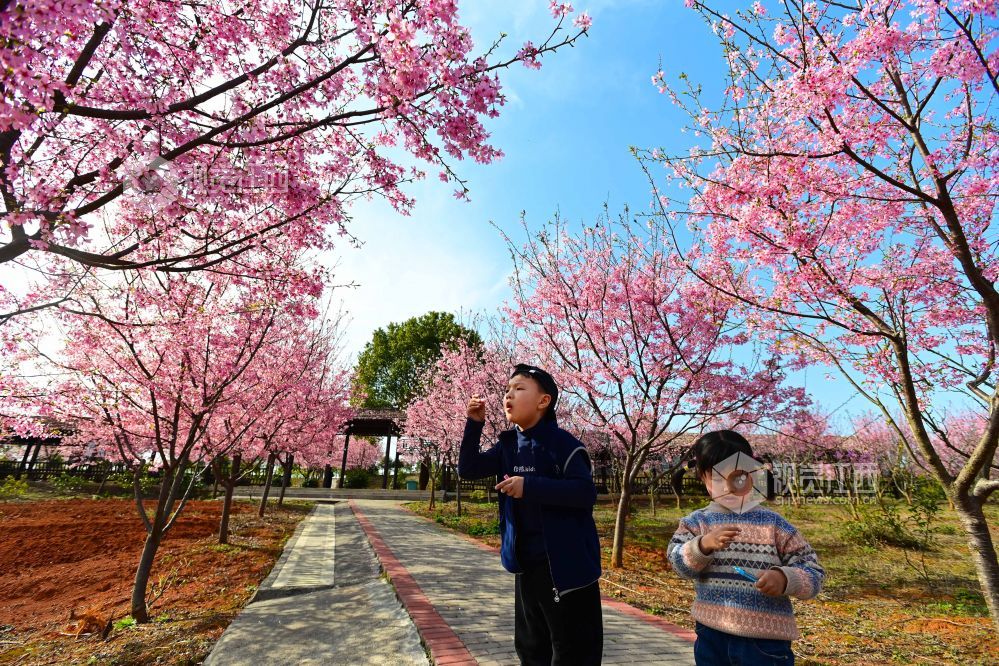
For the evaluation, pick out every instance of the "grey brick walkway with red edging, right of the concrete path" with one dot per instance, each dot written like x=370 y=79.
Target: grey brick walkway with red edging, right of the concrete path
x=462 y=599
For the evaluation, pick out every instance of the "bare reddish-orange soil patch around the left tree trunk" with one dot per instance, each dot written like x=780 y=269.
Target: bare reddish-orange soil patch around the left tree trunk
x=81 y=555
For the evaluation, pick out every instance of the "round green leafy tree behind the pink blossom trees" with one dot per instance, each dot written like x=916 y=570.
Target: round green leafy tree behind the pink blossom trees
x=389 y=369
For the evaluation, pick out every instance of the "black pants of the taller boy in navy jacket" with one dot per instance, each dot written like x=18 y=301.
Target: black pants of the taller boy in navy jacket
x=546 y=633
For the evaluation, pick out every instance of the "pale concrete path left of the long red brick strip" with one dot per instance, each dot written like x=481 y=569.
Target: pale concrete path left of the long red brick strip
x=323 y=603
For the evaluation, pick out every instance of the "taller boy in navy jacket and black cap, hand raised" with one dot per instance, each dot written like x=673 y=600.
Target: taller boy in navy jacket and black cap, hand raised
x=549 y=539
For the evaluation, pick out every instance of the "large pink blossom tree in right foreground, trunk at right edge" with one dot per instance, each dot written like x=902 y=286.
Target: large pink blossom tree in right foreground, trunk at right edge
x=844 y=195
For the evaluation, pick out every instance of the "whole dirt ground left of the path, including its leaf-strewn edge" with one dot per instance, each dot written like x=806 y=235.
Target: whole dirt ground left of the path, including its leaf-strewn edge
x=79 y=556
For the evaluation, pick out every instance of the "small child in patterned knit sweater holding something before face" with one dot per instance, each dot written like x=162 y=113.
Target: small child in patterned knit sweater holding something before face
x=739 y=621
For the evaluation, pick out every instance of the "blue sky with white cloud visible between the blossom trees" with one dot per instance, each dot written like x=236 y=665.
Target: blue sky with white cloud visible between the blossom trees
x=565 y=132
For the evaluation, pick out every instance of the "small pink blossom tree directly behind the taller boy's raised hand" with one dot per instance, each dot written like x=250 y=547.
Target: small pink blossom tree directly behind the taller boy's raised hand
x=435 y=421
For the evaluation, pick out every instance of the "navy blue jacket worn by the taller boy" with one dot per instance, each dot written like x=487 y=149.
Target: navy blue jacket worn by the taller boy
x=562 y=488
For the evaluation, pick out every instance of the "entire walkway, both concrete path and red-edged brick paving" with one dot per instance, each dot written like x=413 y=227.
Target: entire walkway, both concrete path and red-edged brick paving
x=325 y=603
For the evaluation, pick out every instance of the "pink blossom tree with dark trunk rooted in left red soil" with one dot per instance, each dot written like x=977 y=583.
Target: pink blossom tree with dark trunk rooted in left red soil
x=153 y=358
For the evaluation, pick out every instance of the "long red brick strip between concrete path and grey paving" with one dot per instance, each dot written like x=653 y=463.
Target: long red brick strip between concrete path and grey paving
x=444 y=645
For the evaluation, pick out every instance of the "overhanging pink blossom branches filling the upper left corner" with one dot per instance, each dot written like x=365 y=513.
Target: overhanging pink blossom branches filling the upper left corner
x=130 y=129
